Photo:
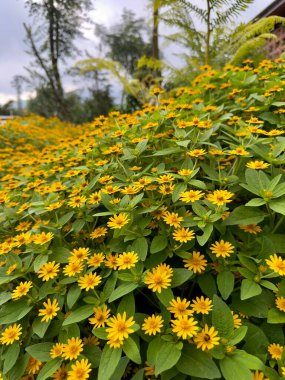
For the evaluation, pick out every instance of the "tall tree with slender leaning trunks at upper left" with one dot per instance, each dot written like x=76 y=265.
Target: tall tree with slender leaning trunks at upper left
x=56 y=25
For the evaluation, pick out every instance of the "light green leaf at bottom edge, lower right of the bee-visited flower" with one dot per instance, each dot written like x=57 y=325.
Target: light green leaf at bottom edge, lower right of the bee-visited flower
x=233 y=369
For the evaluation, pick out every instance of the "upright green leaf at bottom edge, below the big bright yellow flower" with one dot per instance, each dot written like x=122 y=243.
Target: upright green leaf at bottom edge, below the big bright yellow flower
x=109 y=360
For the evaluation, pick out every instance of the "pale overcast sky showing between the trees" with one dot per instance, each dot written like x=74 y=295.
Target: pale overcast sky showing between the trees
x=13 y=56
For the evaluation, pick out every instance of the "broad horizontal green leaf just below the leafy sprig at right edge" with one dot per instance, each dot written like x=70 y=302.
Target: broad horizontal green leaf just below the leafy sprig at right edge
x=244 y=215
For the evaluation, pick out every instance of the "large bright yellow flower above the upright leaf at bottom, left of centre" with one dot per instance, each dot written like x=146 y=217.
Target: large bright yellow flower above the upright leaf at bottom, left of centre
x=119 y=327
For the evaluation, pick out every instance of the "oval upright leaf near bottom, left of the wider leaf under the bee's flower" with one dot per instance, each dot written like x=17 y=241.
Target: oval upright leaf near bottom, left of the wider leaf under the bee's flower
x=167 y=356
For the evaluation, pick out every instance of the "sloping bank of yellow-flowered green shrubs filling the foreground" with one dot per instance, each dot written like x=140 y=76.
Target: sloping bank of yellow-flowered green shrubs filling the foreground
x=152 y=245
